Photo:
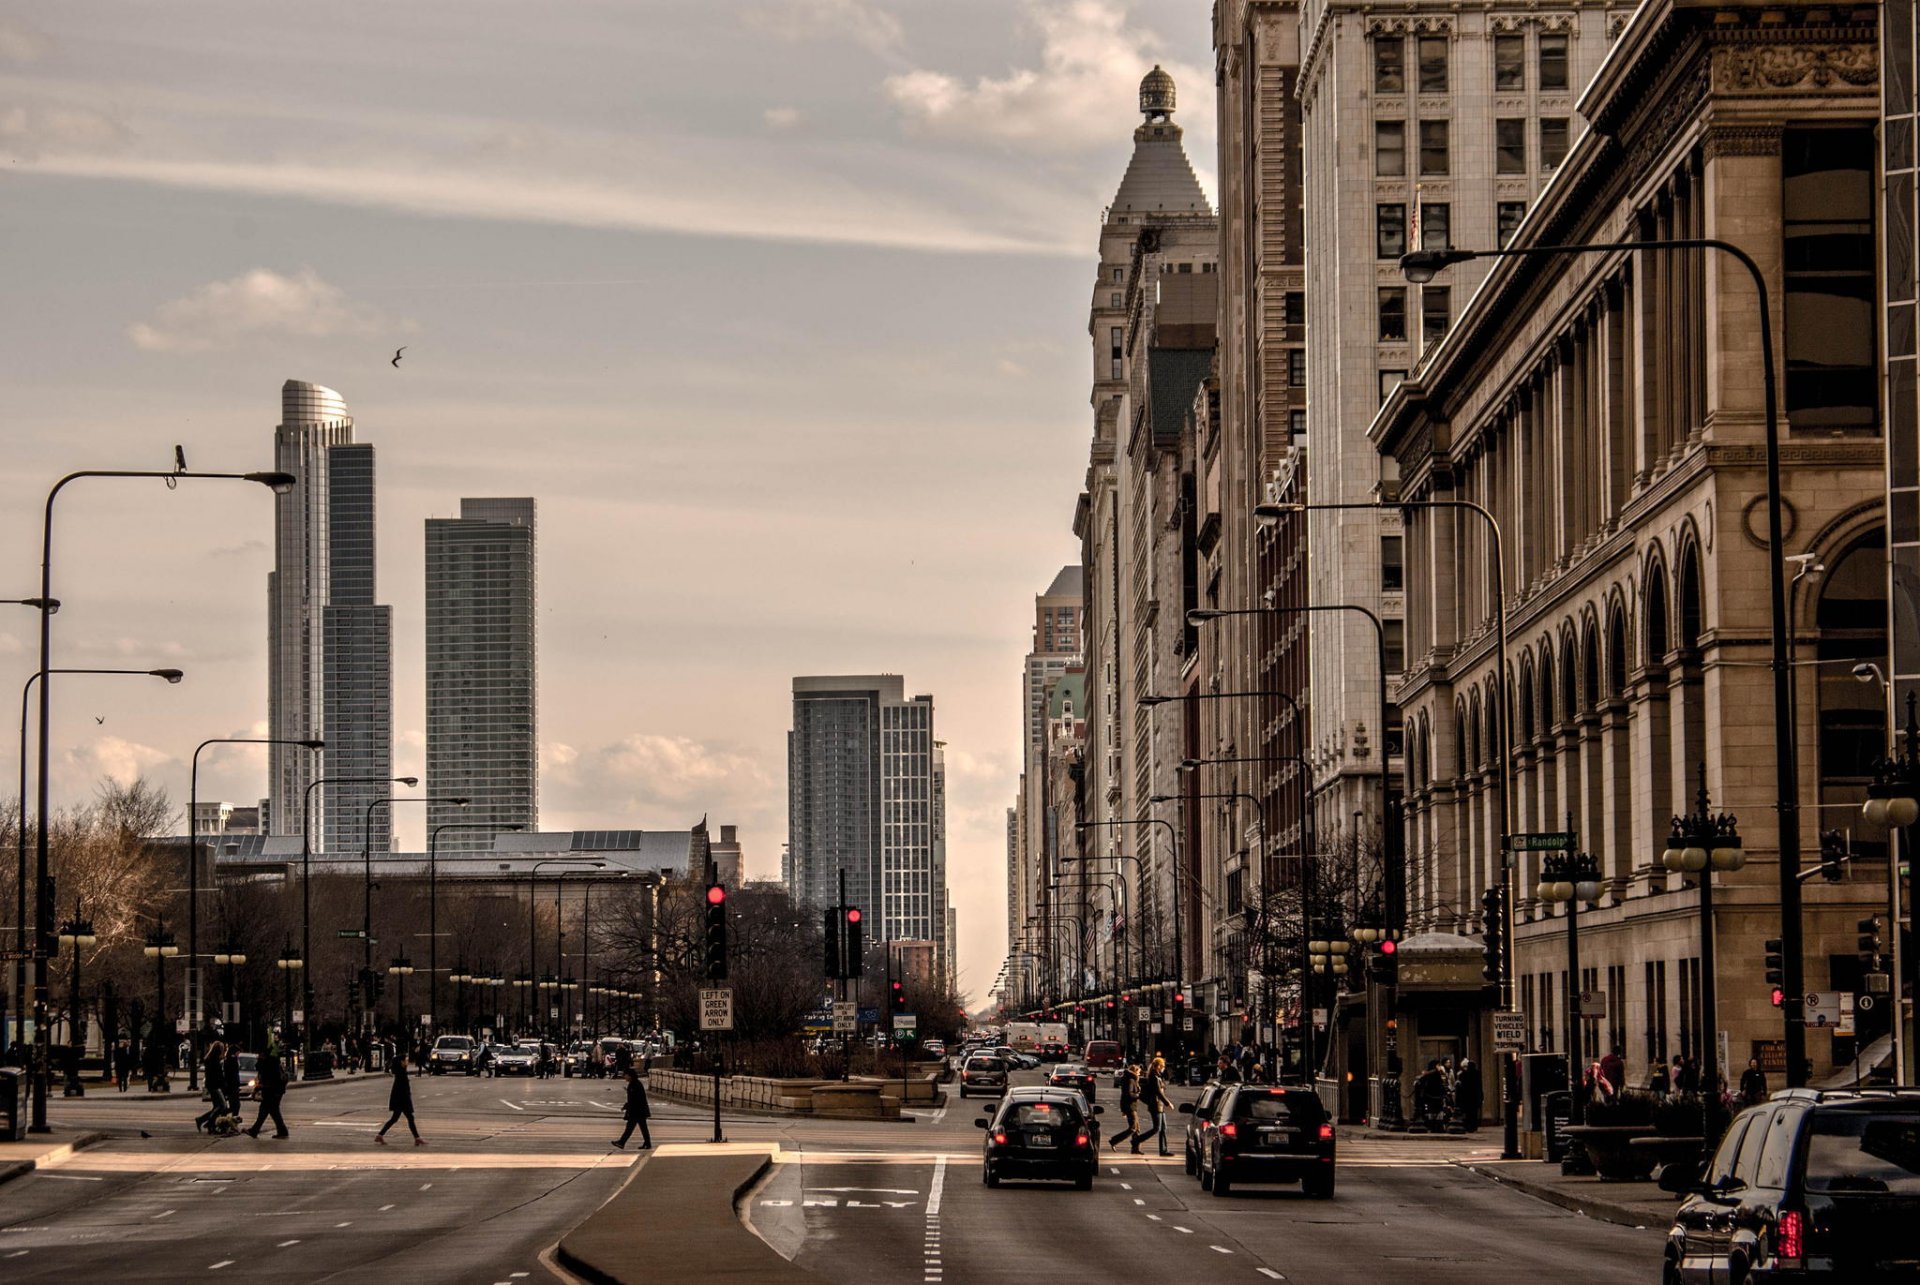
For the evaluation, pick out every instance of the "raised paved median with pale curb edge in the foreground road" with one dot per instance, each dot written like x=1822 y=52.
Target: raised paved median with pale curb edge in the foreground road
x=675 y=1221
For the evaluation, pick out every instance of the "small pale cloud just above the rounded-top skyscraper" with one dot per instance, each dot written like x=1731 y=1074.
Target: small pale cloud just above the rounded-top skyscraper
x=256 y=304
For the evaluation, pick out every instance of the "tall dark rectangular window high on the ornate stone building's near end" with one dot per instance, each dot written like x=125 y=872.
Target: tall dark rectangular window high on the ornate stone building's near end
x=1829 y=239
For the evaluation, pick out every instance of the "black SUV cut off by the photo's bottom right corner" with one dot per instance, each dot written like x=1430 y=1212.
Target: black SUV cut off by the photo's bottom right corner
x=1810 y=1184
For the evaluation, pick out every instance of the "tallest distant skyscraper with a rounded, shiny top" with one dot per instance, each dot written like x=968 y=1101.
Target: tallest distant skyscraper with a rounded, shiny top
x=329 y=673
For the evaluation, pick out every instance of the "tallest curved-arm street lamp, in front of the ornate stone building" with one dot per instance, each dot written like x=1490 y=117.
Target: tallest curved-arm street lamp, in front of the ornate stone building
x=1420 y=268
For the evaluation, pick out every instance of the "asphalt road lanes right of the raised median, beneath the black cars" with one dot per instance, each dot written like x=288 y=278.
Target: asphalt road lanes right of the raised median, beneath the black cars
x=917 y=1211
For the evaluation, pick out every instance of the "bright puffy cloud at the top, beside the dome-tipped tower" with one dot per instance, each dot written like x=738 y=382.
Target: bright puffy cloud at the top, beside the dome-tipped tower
x=1088 y=82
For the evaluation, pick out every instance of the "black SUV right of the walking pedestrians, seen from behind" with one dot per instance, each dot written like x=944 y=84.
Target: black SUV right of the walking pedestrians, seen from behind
x=1268 y=1134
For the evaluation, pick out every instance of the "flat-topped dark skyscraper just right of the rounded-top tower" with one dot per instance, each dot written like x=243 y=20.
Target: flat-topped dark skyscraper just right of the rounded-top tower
x=481 y=671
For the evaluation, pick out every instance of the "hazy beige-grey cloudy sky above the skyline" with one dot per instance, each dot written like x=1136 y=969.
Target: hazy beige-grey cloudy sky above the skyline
x=779 y=308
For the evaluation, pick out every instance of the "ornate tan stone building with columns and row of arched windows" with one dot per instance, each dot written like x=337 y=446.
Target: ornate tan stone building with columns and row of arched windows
x=1608 y=410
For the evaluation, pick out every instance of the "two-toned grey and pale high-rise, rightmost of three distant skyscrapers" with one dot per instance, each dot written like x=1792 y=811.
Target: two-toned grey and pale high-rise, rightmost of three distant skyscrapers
x=863 y=796
